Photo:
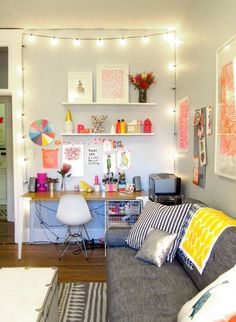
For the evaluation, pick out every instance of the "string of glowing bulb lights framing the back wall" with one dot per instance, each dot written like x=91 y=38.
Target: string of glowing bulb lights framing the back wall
x=31 y=36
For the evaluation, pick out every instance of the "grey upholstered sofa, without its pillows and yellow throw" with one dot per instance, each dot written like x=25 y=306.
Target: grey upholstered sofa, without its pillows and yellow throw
x=141 y=292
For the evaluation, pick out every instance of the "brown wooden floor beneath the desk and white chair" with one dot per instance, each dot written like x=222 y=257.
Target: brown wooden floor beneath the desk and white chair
x=73 y=268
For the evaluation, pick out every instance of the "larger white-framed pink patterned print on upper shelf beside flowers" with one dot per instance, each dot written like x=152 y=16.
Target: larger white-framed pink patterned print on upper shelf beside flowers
x=112 y=84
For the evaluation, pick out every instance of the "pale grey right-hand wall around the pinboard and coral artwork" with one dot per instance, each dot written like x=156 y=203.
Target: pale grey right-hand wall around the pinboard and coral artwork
x=207 y=26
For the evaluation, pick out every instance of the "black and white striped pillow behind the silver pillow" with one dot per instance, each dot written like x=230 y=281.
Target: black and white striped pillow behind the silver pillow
x=158 y=216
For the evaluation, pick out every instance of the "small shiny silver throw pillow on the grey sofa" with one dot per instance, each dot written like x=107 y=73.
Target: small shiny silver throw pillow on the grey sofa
x=156 y=247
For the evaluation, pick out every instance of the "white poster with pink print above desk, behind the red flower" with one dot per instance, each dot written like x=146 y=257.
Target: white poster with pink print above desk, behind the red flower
x=73 y=154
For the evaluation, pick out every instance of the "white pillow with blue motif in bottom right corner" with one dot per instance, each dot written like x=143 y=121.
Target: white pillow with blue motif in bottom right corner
x=215 y=303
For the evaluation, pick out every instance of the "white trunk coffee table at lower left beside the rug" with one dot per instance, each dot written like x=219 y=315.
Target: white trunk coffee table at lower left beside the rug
x=29 y=294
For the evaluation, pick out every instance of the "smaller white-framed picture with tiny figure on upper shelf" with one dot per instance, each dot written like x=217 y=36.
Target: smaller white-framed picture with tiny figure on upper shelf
x=80 y=87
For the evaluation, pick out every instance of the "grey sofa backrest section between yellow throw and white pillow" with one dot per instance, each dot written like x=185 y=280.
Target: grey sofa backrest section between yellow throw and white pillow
x=223 y=257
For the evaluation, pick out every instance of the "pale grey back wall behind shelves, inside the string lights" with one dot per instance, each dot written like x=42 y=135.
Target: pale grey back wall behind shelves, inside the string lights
x=46 y=69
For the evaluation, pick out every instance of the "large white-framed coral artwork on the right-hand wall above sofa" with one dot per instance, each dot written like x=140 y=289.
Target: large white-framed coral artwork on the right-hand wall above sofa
x=225 y=148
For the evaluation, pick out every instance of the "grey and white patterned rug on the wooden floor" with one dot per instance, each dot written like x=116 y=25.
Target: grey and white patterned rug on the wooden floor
x=82 y=302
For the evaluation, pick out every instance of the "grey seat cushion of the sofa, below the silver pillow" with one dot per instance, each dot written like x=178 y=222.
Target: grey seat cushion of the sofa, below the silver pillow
x=138 y=291
